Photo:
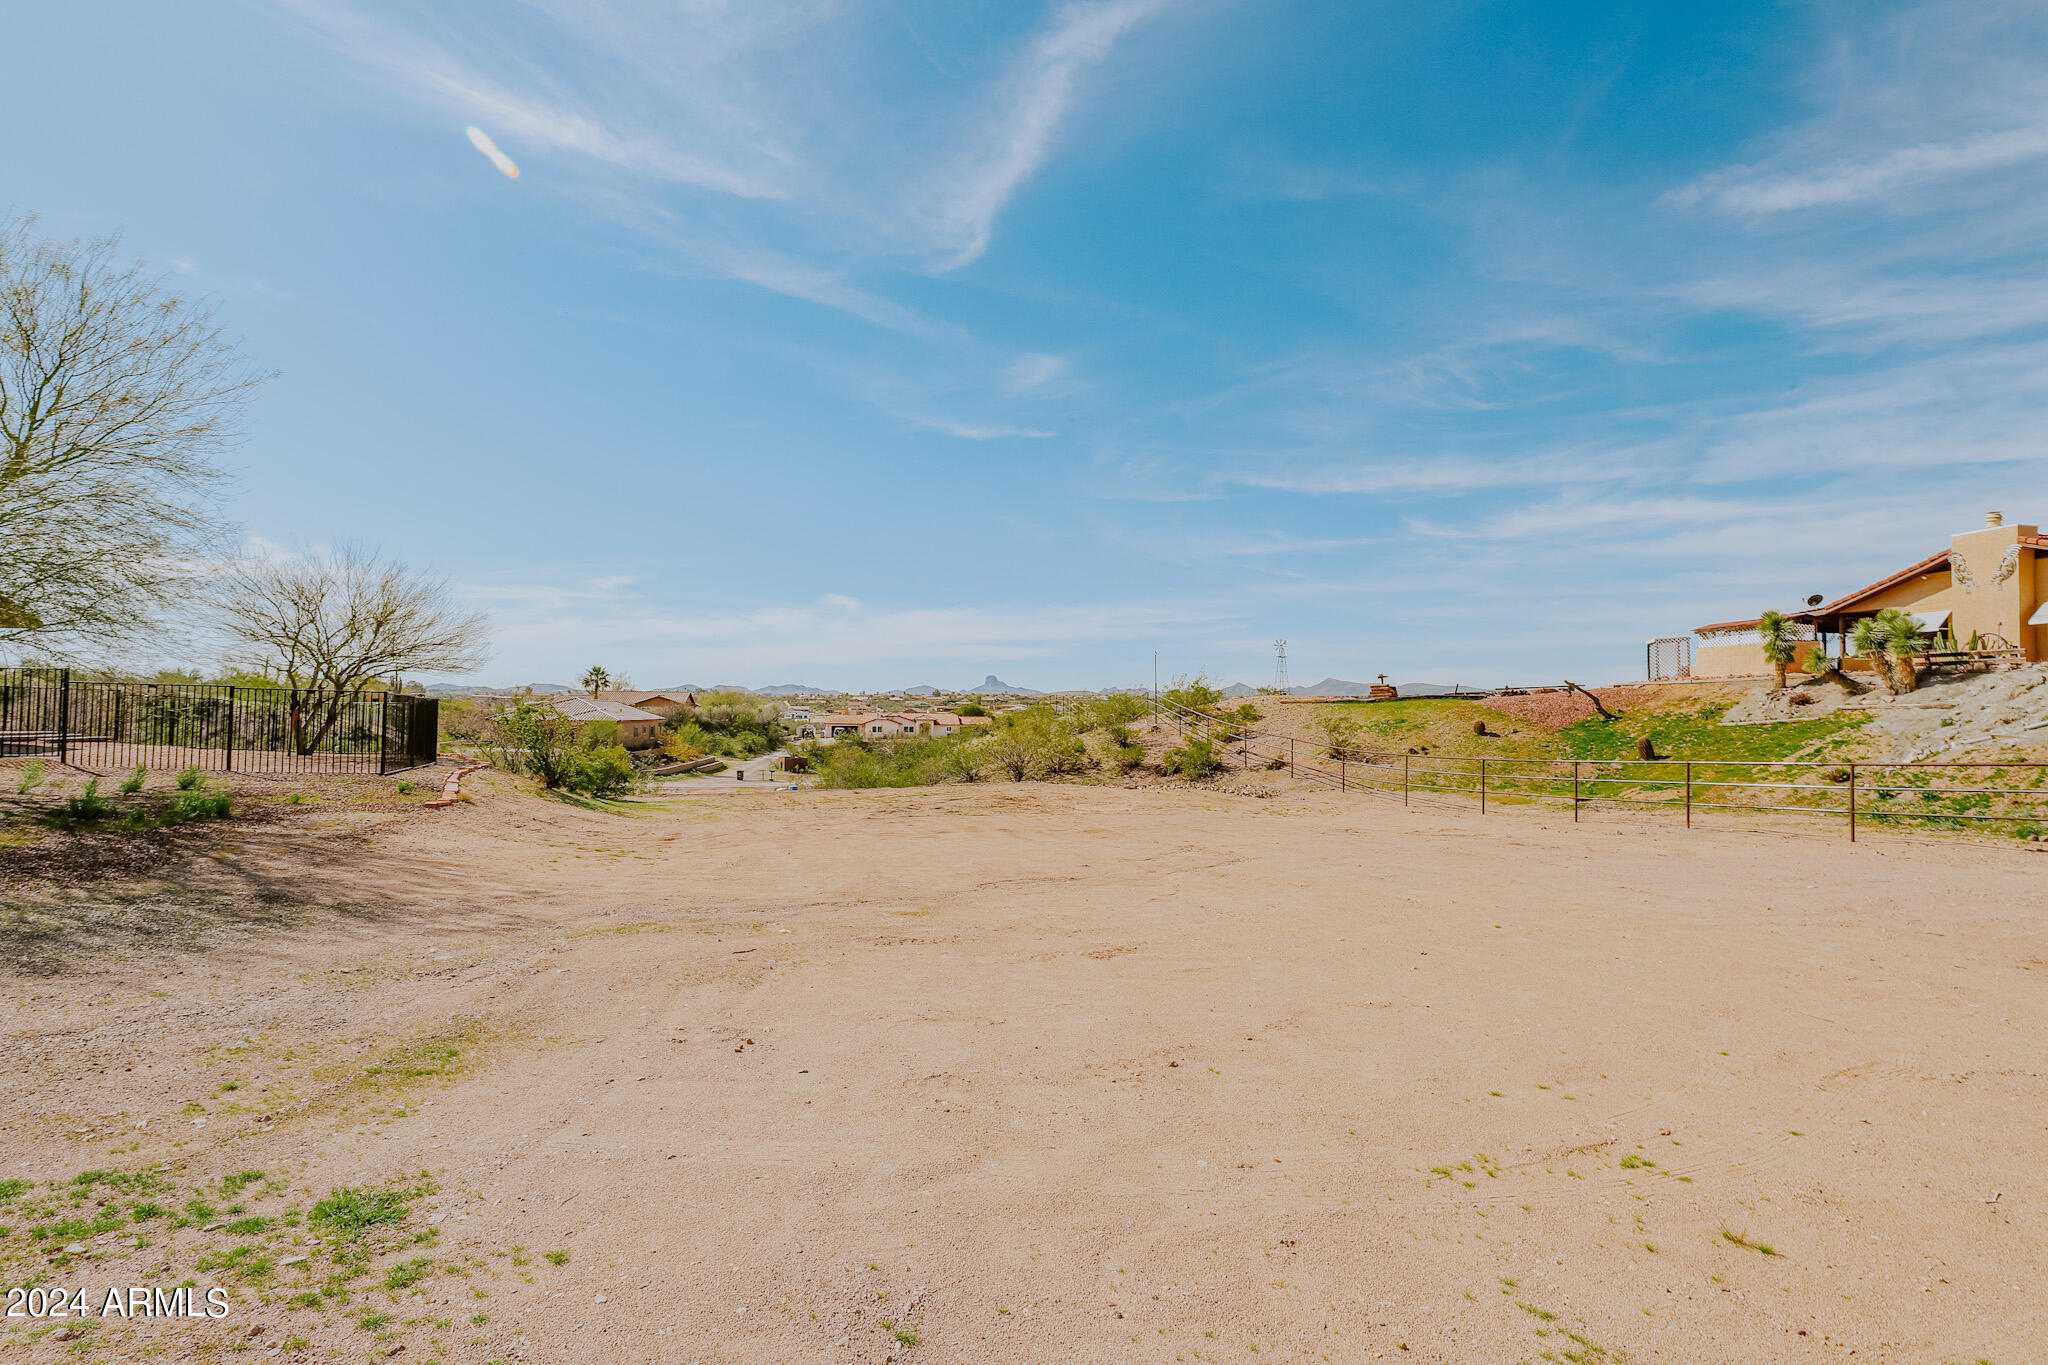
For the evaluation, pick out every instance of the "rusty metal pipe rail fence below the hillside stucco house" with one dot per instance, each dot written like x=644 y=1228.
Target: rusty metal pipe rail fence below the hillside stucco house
x=1930 y=795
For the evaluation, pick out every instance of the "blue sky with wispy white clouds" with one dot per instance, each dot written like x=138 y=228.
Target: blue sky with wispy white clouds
x=902 y=343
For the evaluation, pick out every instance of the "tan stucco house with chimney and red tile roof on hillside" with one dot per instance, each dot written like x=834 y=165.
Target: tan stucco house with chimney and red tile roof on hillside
x=1988 y=590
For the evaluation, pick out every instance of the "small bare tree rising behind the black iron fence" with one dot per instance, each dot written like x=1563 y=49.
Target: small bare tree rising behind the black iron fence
x=331 y=627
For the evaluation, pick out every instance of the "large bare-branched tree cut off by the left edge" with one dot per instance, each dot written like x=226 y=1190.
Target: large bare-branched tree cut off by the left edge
x=116 y=400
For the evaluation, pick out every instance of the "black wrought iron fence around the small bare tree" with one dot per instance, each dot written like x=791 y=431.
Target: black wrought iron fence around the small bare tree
x=120 y=725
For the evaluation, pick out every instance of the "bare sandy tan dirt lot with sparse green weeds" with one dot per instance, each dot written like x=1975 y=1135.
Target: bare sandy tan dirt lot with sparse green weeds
x=1062 y=1073
